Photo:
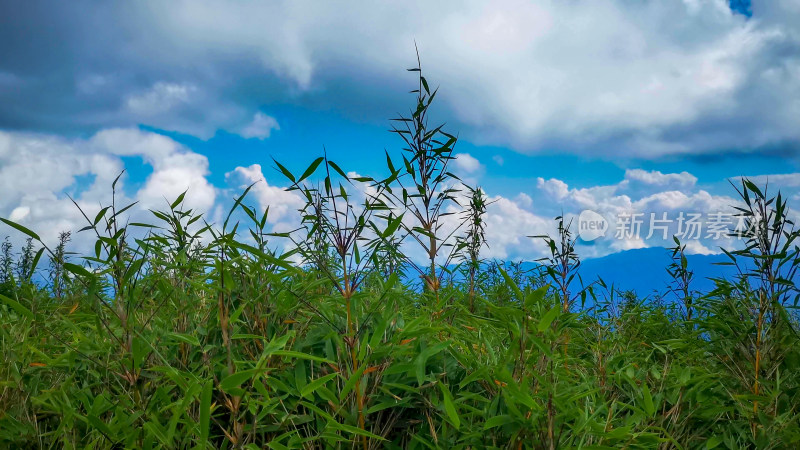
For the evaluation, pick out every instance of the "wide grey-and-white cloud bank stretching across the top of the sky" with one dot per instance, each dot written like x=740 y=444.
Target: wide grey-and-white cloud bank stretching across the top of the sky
x=606 y=78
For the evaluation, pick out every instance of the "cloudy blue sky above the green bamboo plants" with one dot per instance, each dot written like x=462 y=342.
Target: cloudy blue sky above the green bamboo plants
x=623 y=108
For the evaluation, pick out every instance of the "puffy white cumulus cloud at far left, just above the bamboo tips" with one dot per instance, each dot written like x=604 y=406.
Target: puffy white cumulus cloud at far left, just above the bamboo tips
x=38 y=171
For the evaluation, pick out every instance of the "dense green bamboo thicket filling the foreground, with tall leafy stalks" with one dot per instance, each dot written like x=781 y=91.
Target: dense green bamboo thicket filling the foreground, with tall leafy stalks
x=180 y=334
